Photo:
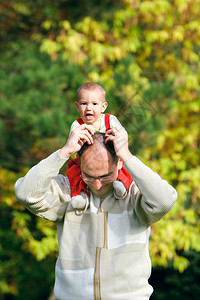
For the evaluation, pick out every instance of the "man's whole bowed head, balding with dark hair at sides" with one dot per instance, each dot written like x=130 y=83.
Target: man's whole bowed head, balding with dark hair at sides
x=99 y=165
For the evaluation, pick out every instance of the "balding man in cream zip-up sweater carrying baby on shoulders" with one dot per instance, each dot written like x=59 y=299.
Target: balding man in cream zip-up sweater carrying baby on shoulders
x=103 y=253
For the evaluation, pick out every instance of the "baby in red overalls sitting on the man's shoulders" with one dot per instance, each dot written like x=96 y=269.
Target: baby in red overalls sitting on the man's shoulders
x=91 y=103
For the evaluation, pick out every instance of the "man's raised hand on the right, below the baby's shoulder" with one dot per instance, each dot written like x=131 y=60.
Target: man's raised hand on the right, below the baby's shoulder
x=119 y=137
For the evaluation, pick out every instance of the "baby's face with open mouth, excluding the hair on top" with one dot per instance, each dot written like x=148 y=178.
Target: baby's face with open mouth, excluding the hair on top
x=90 y=105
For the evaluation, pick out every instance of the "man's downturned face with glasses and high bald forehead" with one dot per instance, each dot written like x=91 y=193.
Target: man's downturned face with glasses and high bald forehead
x=99 y=170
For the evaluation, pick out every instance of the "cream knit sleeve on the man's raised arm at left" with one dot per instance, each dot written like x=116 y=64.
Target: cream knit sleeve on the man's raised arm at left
x=43 y=191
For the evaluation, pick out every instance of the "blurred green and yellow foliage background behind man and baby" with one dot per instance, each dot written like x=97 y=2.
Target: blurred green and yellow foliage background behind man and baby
x=146 y=56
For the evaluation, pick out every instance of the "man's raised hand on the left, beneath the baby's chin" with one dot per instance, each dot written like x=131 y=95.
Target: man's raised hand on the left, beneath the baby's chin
x=77 y=138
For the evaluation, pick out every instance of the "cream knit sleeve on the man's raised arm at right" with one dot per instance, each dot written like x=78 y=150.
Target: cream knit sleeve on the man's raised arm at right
x=153 y=197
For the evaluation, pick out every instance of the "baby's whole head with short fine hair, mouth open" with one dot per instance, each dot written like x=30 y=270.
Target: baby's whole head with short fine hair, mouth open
x=91 y=102
